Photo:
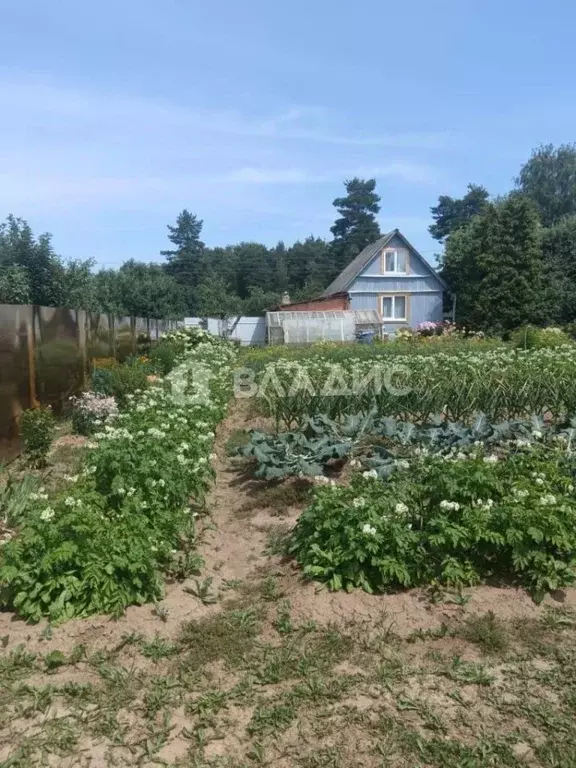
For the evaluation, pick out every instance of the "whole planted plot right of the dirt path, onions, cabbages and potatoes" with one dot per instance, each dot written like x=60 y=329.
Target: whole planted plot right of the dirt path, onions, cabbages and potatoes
x=459 y=469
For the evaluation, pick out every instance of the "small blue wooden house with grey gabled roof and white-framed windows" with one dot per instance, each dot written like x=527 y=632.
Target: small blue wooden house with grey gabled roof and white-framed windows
x=391 y=277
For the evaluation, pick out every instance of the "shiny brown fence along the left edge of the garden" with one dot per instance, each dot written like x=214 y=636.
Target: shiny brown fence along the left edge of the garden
x=46 y=354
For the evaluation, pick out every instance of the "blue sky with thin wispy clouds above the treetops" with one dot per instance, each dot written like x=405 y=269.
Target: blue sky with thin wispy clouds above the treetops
x=116 y=115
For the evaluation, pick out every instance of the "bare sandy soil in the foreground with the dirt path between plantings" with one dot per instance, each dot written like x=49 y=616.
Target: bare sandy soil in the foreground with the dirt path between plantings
x=277 y=672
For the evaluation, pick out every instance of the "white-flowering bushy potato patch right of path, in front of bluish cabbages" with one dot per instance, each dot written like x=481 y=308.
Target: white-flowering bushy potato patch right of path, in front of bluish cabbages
x=458 y=521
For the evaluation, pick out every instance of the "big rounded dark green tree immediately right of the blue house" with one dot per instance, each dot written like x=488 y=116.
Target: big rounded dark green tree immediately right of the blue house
x=493 y=265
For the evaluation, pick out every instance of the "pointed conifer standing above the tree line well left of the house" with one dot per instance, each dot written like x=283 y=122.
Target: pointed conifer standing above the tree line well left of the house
x=185 y=261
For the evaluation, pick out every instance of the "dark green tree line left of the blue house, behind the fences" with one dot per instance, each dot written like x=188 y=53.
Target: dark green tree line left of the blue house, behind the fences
x=193 y=279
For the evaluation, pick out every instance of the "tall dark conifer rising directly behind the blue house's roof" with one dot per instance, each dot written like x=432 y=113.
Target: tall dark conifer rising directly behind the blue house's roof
x=356 y=226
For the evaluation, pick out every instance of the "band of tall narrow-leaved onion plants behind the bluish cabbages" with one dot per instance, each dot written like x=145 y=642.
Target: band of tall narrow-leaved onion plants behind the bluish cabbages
x=502 y=383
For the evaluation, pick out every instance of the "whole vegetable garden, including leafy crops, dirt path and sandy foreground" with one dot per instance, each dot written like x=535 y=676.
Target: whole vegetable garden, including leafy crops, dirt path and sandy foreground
x=448 y=513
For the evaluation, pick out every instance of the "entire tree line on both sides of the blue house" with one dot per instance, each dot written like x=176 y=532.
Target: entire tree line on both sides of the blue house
x=509 y=259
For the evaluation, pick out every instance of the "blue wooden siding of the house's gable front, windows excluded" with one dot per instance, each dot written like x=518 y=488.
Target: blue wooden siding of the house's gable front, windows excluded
x=420 y=284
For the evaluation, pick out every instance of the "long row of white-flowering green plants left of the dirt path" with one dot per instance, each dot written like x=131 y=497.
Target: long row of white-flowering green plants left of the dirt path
x=127 y=517
